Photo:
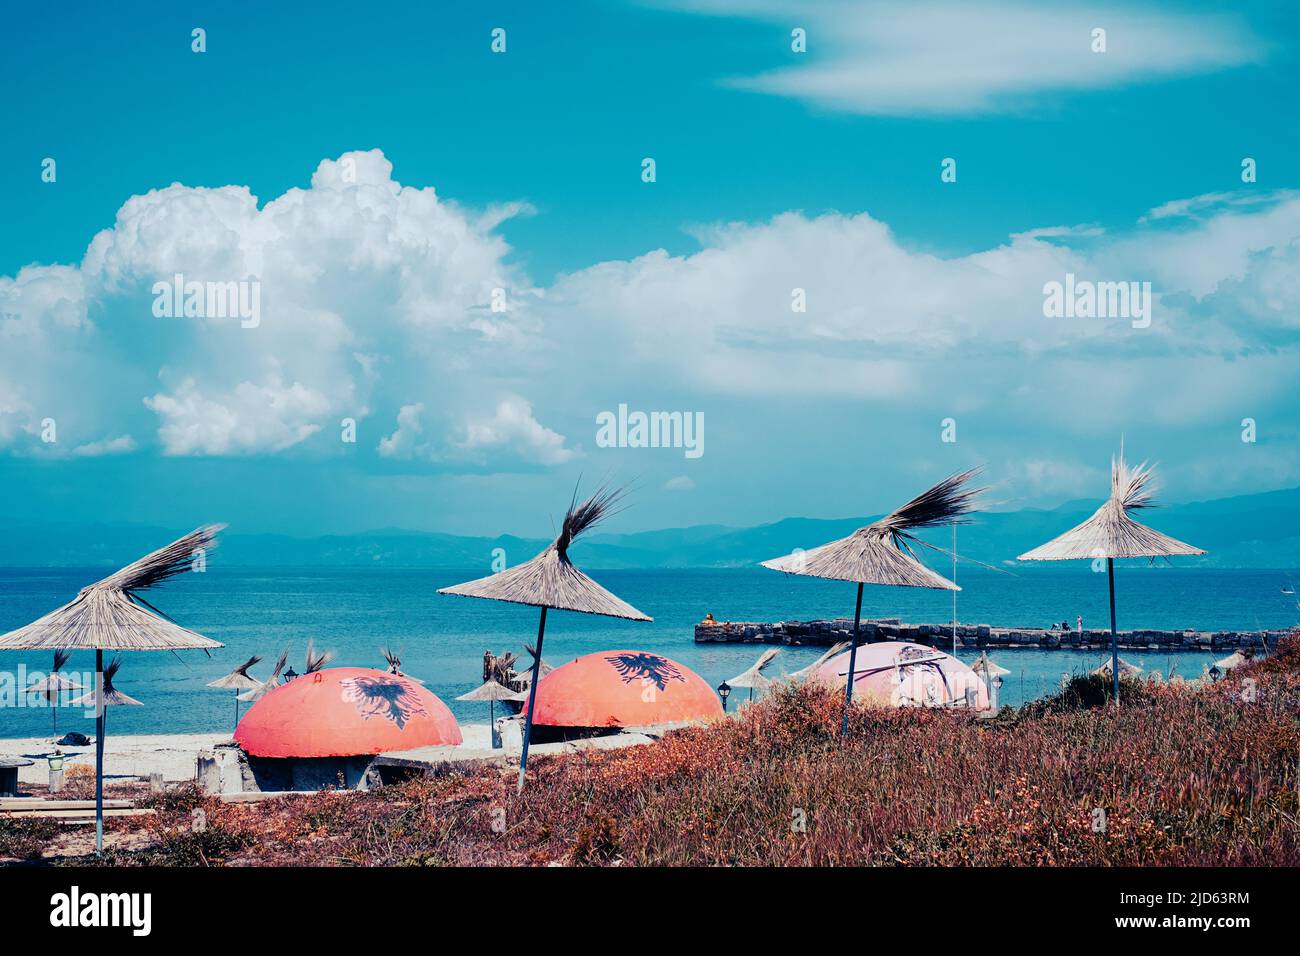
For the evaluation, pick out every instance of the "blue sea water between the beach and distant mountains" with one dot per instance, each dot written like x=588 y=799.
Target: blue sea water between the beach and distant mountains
x=441 y=639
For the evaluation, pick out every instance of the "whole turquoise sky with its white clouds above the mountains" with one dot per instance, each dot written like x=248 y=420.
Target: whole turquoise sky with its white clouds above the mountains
x=460 y=266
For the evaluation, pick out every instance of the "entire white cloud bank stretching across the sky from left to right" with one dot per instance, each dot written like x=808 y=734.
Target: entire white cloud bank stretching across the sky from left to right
x=380 y=302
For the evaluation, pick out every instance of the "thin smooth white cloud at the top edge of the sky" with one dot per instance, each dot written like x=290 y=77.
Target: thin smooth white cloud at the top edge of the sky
x=904 y=58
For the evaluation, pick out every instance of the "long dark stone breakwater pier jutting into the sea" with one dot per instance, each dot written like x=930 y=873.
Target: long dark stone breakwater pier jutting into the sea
x=827 y=633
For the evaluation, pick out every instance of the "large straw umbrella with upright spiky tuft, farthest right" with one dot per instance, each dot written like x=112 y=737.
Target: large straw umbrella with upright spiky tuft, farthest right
x=1112 y=534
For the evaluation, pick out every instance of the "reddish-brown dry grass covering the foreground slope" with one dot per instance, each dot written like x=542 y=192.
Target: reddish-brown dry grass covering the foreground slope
x=1185 y=777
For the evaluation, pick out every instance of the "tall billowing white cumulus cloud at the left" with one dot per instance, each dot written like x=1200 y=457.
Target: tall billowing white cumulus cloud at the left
x=371 y=296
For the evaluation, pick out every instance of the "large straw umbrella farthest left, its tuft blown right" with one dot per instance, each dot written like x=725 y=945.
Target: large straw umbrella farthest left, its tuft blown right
x=112 y=616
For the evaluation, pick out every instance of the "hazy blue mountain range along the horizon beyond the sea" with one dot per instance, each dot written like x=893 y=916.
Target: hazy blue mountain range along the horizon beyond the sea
x=1247 y=531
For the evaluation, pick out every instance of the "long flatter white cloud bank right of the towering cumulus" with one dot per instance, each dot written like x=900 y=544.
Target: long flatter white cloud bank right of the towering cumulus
x=892 y=334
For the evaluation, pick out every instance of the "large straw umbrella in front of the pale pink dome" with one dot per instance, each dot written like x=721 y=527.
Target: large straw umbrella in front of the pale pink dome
x=882 y=553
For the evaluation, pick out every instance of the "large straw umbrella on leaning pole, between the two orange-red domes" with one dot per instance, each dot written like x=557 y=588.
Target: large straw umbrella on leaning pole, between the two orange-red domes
x=552 y=581
